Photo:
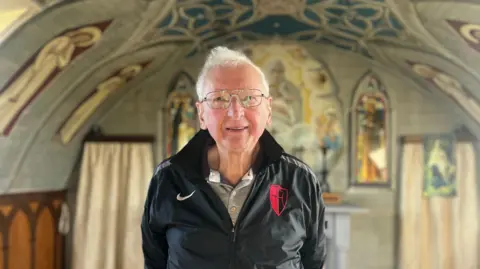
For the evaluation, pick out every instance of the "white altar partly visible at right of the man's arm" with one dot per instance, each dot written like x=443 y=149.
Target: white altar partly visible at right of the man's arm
x=337 y=223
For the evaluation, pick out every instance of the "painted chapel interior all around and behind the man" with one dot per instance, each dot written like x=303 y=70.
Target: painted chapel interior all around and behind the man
x=381 y=98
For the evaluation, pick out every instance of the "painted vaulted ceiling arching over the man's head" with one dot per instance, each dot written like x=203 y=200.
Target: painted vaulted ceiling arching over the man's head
x=55 y=55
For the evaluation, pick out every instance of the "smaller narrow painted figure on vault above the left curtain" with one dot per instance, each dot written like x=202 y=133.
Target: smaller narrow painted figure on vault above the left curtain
x=94 y=99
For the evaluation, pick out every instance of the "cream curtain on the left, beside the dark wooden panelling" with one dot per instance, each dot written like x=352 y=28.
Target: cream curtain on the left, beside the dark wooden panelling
x=114 y=178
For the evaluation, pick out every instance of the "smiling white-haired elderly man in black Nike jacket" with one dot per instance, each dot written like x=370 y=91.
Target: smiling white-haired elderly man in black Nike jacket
x=232 y=198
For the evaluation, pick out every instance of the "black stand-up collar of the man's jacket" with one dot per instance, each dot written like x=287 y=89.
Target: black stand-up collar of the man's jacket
x=192 y=156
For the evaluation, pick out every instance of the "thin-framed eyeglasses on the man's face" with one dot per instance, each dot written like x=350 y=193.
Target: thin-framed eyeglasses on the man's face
x=222 y=99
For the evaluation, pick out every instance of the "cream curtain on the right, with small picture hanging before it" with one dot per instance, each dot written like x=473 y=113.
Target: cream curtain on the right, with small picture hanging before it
x=439 y=232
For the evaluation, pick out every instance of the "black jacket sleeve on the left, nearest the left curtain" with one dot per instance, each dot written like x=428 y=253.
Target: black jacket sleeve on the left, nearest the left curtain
x=154 y=242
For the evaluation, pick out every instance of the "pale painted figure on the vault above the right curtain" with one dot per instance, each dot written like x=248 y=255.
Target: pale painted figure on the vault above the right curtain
x=448 y=85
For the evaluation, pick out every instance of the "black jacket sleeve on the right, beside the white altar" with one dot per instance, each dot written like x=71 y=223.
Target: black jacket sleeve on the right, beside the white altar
x=314 y=251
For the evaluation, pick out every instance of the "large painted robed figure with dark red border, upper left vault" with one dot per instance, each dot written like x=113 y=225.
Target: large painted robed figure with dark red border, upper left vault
x=38 y=72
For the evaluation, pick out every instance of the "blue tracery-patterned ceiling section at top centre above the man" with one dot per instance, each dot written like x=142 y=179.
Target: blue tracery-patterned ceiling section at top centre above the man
x=347 y=24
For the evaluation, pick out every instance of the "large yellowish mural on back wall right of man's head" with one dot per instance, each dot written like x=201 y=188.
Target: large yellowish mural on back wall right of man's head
x=306 y=115
